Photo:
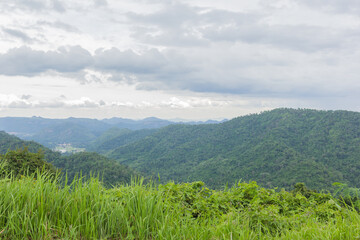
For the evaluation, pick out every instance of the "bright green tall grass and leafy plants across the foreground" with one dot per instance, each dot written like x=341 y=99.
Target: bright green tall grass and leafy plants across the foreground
x=39 y=207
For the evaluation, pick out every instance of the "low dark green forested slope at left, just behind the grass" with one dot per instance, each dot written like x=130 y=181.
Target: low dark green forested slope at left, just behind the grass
x=110 y=171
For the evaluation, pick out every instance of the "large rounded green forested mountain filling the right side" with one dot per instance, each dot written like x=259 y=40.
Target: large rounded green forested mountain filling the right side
x=275 y=148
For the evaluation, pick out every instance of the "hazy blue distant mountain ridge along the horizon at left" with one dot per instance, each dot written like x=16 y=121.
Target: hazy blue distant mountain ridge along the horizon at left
x=77 y=131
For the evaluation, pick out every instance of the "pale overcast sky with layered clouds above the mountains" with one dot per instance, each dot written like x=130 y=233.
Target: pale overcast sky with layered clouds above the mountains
x=198 y=59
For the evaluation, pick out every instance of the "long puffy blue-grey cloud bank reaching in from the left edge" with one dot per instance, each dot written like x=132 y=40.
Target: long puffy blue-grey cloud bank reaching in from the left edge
x=28 y=62
